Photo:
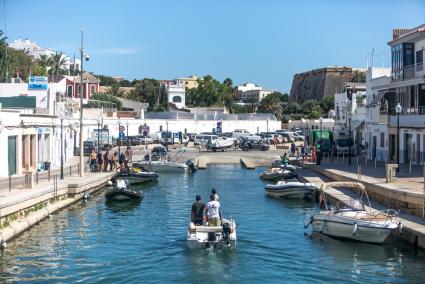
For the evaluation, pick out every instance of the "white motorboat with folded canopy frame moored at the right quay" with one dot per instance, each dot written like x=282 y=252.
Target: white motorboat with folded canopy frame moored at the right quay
x=355 y=219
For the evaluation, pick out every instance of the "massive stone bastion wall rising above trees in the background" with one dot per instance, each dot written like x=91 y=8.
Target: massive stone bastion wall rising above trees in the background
x=319 y=83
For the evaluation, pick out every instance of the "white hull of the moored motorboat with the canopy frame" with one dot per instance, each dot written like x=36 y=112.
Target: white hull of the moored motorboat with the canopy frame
x=364 y=231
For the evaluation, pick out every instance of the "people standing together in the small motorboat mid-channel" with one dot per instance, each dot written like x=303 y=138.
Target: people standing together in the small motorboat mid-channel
x=209 y=213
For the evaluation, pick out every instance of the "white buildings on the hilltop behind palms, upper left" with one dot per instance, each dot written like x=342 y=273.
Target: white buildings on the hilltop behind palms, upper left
x=36 y=51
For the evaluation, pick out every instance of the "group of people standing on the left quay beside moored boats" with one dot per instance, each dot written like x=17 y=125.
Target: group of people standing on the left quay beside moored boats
x=99 y=162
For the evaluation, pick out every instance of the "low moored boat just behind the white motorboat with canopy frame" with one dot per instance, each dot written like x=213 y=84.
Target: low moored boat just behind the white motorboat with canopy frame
x=290 y=189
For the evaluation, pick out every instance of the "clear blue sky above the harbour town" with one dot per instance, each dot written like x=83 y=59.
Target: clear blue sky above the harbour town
x=261 y=41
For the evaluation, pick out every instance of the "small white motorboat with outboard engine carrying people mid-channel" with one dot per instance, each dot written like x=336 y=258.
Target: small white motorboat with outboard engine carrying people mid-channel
x=216 y=237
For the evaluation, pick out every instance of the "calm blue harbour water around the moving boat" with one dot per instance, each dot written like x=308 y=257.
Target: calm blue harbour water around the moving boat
x=145 y=242
